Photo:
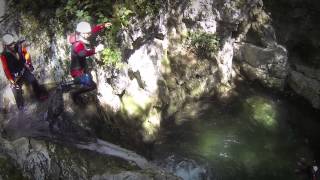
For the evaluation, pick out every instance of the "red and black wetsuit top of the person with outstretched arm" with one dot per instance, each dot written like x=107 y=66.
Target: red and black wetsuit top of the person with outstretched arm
x=79 y=53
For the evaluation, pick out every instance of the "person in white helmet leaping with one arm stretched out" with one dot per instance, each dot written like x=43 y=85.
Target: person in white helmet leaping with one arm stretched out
x=80 y=52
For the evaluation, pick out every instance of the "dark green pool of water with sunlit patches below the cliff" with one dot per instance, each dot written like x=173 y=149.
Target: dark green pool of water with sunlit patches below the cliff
x=256 y=135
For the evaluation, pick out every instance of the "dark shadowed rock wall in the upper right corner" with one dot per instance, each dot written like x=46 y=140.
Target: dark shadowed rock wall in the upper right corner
x=299 y=32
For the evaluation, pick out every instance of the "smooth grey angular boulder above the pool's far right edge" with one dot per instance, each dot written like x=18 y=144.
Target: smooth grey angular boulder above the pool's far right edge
x=268 y=65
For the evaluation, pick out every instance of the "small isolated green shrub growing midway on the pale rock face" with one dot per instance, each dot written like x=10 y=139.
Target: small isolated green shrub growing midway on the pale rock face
x=203 y=44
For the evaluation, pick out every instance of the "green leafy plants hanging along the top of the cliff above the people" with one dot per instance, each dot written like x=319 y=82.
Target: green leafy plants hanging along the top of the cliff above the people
x=60 y=17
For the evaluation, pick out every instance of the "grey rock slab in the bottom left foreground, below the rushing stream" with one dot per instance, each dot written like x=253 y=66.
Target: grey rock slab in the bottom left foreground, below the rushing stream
x=39 y=160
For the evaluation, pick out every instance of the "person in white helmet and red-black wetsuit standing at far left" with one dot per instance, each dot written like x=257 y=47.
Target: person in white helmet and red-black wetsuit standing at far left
x=16 y=62
